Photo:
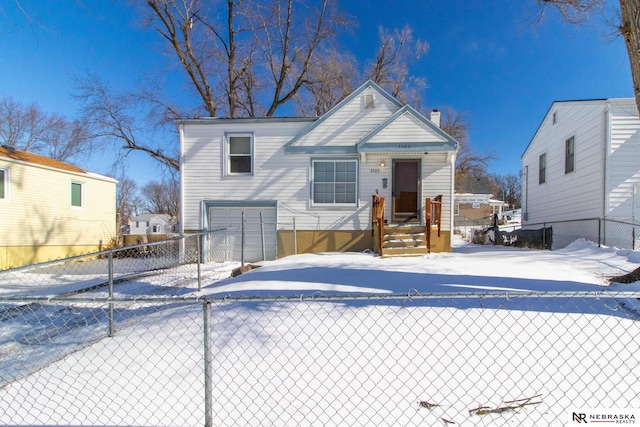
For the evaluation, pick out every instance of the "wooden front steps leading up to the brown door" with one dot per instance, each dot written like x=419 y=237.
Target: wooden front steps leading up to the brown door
x=403 y=240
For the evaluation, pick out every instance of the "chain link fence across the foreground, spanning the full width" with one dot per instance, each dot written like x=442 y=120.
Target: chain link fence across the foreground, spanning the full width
x=524 y=359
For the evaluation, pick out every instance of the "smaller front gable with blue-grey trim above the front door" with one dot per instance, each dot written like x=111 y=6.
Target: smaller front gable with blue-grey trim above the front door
x=425 y=135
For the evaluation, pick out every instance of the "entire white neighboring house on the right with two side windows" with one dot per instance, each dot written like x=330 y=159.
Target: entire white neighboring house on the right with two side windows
x=582 y=163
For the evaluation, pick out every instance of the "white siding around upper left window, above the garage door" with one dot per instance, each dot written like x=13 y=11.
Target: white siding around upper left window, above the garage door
x=275 y=176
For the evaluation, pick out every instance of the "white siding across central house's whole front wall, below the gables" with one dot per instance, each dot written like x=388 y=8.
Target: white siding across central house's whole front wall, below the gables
x=285 y=178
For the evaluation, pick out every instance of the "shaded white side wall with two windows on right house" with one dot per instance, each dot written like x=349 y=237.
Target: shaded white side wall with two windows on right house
x=573 y=195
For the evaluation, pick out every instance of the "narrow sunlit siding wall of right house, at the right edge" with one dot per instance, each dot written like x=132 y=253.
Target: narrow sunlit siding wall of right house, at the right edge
x=623 y=167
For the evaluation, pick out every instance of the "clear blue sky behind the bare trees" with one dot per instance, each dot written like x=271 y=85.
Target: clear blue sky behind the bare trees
x=487 y=59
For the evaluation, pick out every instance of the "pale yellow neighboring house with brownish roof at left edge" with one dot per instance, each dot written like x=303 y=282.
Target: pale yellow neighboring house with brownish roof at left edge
x=51 y=210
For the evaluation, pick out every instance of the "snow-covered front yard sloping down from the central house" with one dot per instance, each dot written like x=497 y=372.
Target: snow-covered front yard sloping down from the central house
x=294 y=345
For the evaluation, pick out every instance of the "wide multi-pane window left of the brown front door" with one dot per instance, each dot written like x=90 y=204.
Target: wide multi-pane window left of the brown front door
x=334 y=182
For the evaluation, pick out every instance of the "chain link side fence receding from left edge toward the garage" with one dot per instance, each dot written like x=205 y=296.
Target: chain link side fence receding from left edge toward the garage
x=170 y=267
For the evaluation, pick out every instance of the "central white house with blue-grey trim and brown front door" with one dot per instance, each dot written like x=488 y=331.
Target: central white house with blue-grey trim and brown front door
x=317 y=175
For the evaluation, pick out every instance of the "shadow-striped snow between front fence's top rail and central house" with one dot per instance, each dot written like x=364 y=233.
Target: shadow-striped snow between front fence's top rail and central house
x=580 y=267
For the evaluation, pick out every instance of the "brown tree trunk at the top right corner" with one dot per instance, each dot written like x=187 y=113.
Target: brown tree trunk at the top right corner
x=630 y=29
